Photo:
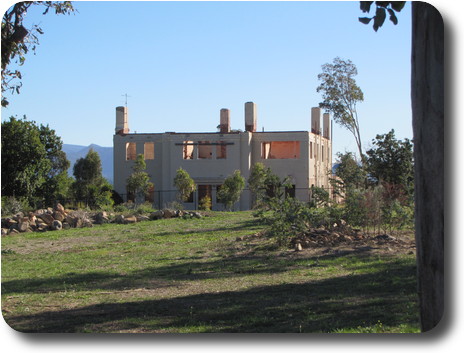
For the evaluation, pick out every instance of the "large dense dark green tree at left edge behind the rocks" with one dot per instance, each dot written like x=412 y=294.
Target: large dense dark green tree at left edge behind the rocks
x=33 y=164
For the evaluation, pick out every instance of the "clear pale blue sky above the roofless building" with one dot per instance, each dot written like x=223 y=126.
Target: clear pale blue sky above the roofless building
x=181 y=62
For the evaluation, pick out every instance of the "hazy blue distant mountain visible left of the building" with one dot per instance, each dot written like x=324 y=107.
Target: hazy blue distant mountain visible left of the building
x=74 y=152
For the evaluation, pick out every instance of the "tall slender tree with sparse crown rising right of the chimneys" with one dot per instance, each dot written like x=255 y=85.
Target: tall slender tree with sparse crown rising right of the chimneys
x=340 y=95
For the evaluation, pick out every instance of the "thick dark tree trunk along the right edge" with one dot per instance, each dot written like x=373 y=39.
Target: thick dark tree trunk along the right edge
x=428 y=128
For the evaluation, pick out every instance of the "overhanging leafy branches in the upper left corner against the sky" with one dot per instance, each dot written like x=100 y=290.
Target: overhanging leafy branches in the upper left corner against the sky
x=17 y=40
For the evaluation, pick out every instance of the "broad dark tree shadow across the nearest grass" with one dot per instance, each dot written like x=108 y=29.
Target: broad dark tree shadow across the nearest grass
x=385 y=295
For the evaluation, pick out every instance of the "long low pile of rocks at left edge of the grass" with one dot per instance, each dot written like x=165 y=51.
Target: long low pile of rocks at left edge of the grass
x=59 y=218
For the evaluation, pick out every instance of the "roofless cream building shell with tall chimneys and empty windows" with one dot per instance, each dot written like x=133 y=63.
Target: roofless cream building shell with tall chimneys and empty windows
x=303 y=156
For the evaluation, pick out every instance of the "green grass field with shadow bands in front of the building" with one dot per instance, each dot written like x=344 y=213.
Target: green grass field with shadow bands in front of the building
x=178 y=275
